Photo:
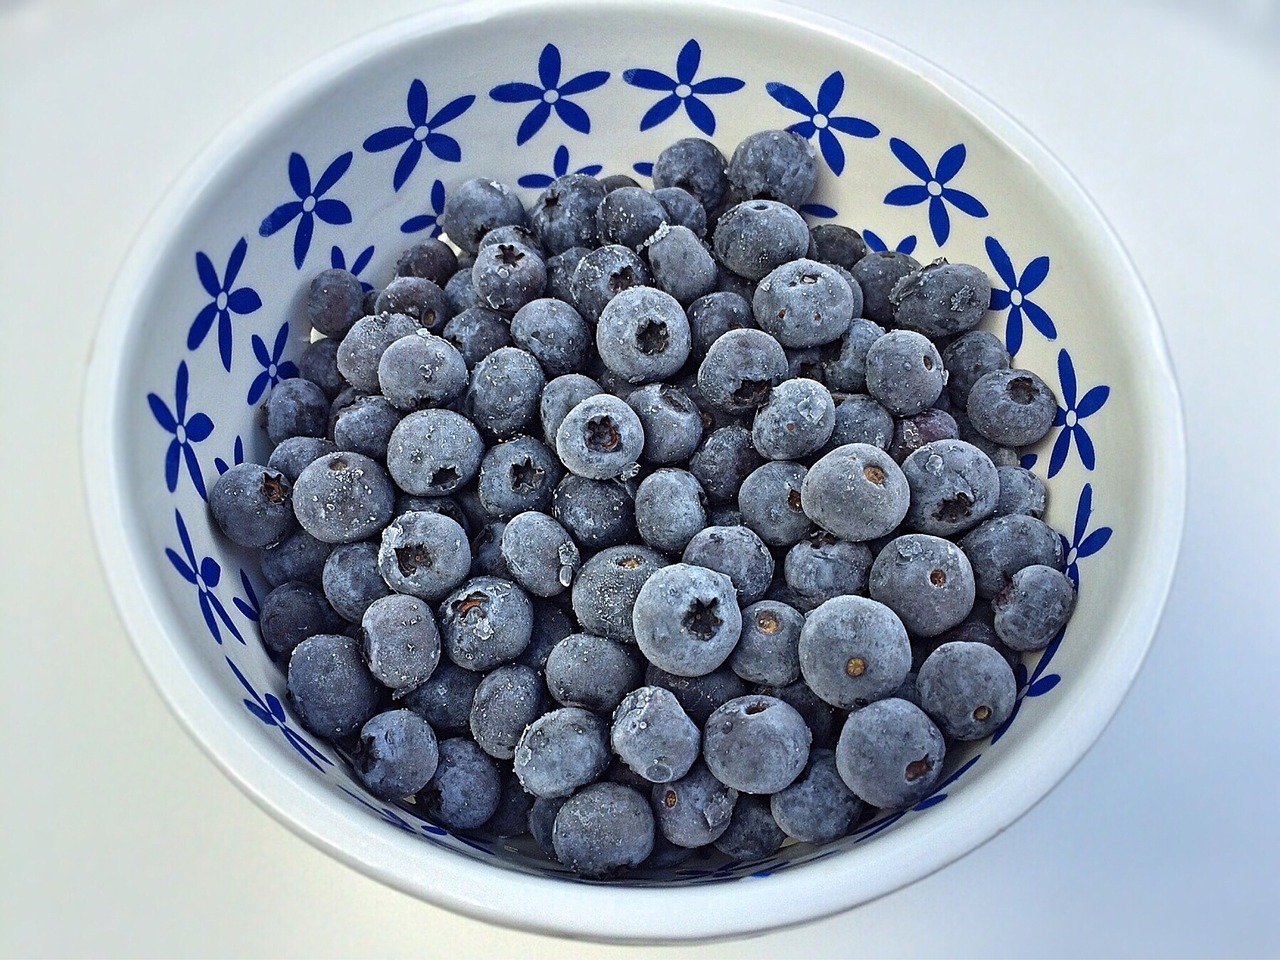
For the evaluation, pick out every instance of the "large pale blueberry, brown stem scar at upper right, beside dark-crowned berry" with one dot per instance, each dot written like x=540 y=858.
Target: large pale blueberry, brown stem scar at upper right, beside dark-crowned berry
x=856 y=492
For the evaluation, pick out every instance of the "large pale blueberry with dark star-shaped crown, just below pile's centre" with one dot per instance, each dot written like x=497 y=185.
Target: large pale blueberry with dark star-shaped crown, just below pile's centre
x=687 y=620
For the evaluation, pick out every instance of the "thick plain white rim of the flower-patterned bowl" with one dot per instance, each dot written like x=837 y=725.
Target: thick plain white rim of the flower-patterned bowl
x=541 y=904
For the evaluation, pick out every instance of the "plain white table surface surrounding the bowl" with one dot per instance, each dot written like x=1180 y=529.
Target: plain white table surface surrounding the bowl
x=122 y=839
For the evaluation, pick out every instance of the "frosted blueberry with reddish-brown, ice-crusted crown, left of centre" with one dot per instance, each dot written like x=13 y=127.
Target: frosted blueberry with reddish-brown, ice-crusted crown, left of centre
x=486 y=624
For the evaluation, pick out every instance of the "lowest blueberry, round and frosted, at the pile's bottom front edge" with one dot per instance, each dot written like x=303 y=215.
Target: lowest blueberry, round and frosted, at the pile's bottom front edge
x=604 y=829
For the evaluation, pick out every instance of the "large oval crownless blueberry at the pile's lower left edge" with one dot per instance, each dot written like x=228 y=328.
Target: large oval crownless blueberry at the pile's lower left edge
x=331 y=687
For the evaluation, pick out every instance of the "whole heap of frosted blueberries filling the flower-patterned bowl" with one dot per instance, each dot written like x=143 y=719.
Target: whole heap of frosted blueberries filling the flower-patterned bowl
x=643 y=522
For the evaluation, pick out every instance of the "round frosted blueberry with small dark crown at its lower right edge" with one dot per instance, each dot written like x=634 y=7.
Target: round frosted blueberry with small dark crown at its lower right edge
x=435 y=452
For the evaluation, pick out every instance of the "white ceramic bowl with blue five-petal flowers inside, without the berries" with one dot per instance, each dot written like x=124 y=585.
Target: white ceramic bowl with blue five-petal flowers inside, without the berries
x=208 y=312
